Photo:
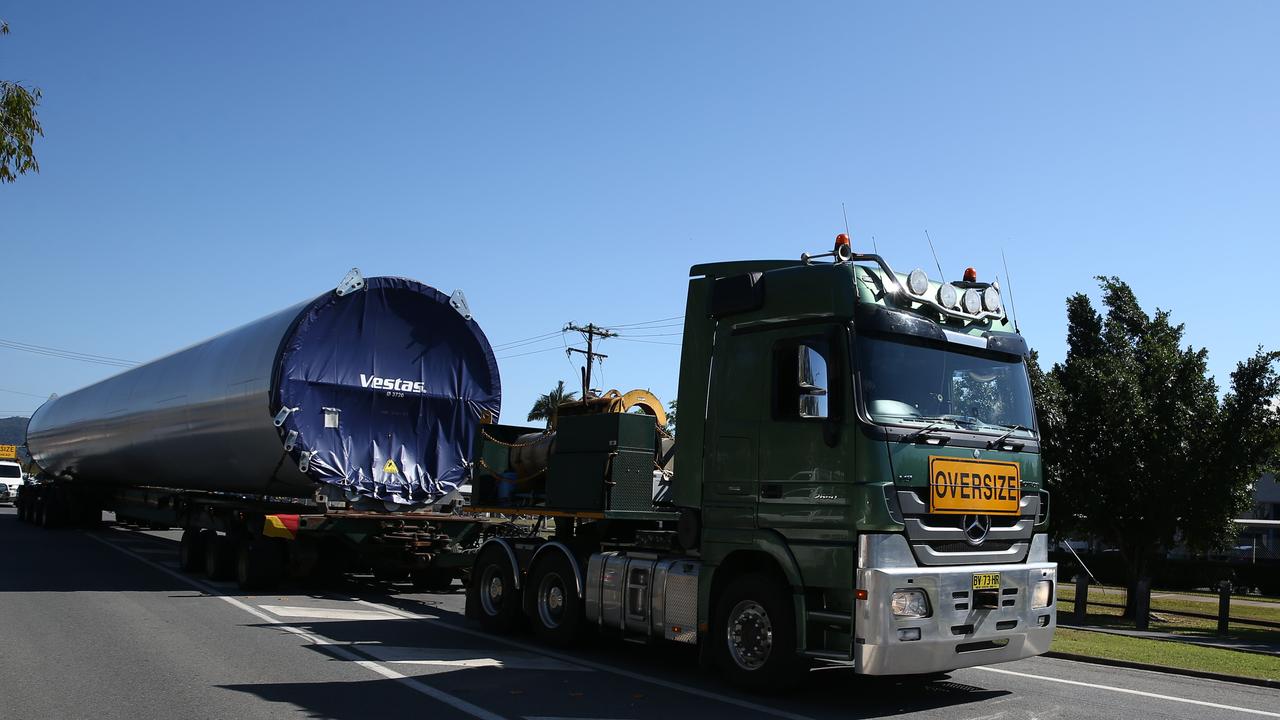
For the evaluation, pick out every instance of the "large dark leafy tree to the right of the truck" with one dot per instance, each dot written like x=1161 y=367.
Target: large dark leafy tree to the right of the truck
x=1137 y=445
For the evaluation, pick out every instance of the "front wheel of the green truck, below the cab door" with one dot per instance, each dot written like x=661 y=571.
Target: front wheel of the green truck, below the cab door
x=755 y=636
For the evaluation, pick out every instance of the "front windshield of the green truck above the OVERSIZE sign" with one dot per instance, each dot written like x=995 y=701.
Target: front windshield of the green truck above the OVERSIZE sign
x=907 y=382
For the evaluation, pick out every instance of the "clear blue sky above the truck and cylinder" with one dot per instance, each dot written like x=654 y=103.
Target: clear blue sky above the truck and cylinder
x=207 y=165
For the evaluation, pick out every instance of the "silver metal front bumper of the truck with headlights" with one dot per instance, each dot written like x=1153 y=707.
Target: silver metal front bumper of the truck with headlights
x=957 y=634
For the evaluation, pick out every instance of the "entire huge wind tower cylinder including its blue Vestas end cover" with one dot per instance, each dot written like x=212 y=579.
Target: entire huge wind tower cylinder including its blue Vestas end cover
x=376 y=391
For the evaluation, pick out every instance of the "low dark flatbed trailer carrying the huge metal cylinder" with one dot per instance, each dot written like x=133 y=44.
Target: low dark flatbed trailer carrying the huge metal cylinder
x=262 y=541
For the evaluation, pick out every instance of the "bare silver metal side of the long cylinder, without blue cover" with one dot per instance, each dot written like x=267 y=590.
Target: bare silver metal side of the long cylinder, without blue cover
x=196 y=420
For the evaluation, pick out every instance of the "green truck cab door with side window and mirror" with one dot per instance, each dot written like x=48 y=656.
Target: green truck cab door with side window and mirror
x=804 y=482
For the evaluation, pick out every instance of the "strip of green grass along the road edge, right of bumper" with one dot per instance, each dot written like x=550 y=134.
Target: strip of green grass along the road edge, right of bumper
x=1168 y=654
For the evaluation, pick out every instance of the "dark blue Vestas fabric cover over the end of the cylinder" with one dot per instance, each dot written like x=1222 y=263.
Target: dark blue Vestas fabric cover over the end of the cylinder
x=410 y=379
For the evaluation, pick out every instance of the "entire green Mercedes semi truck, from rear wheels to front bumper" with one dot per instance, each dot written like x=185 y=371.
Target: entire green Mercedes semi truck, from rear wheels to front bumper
x=857 y=480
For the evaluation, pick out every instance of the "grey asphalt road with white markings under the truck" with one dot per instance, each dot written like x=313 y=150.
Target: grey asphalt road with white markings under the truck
x=103 y=626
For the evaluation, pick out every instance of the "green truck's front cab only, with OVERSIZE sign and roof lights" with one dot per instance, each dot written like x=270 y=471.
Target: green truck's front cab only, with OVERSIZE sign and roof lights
x=870 y=441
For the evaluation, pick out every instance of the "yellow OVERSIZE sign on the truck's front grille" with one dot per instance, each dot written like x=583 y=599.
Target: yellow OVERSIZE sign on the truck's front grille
x=973 y=487
